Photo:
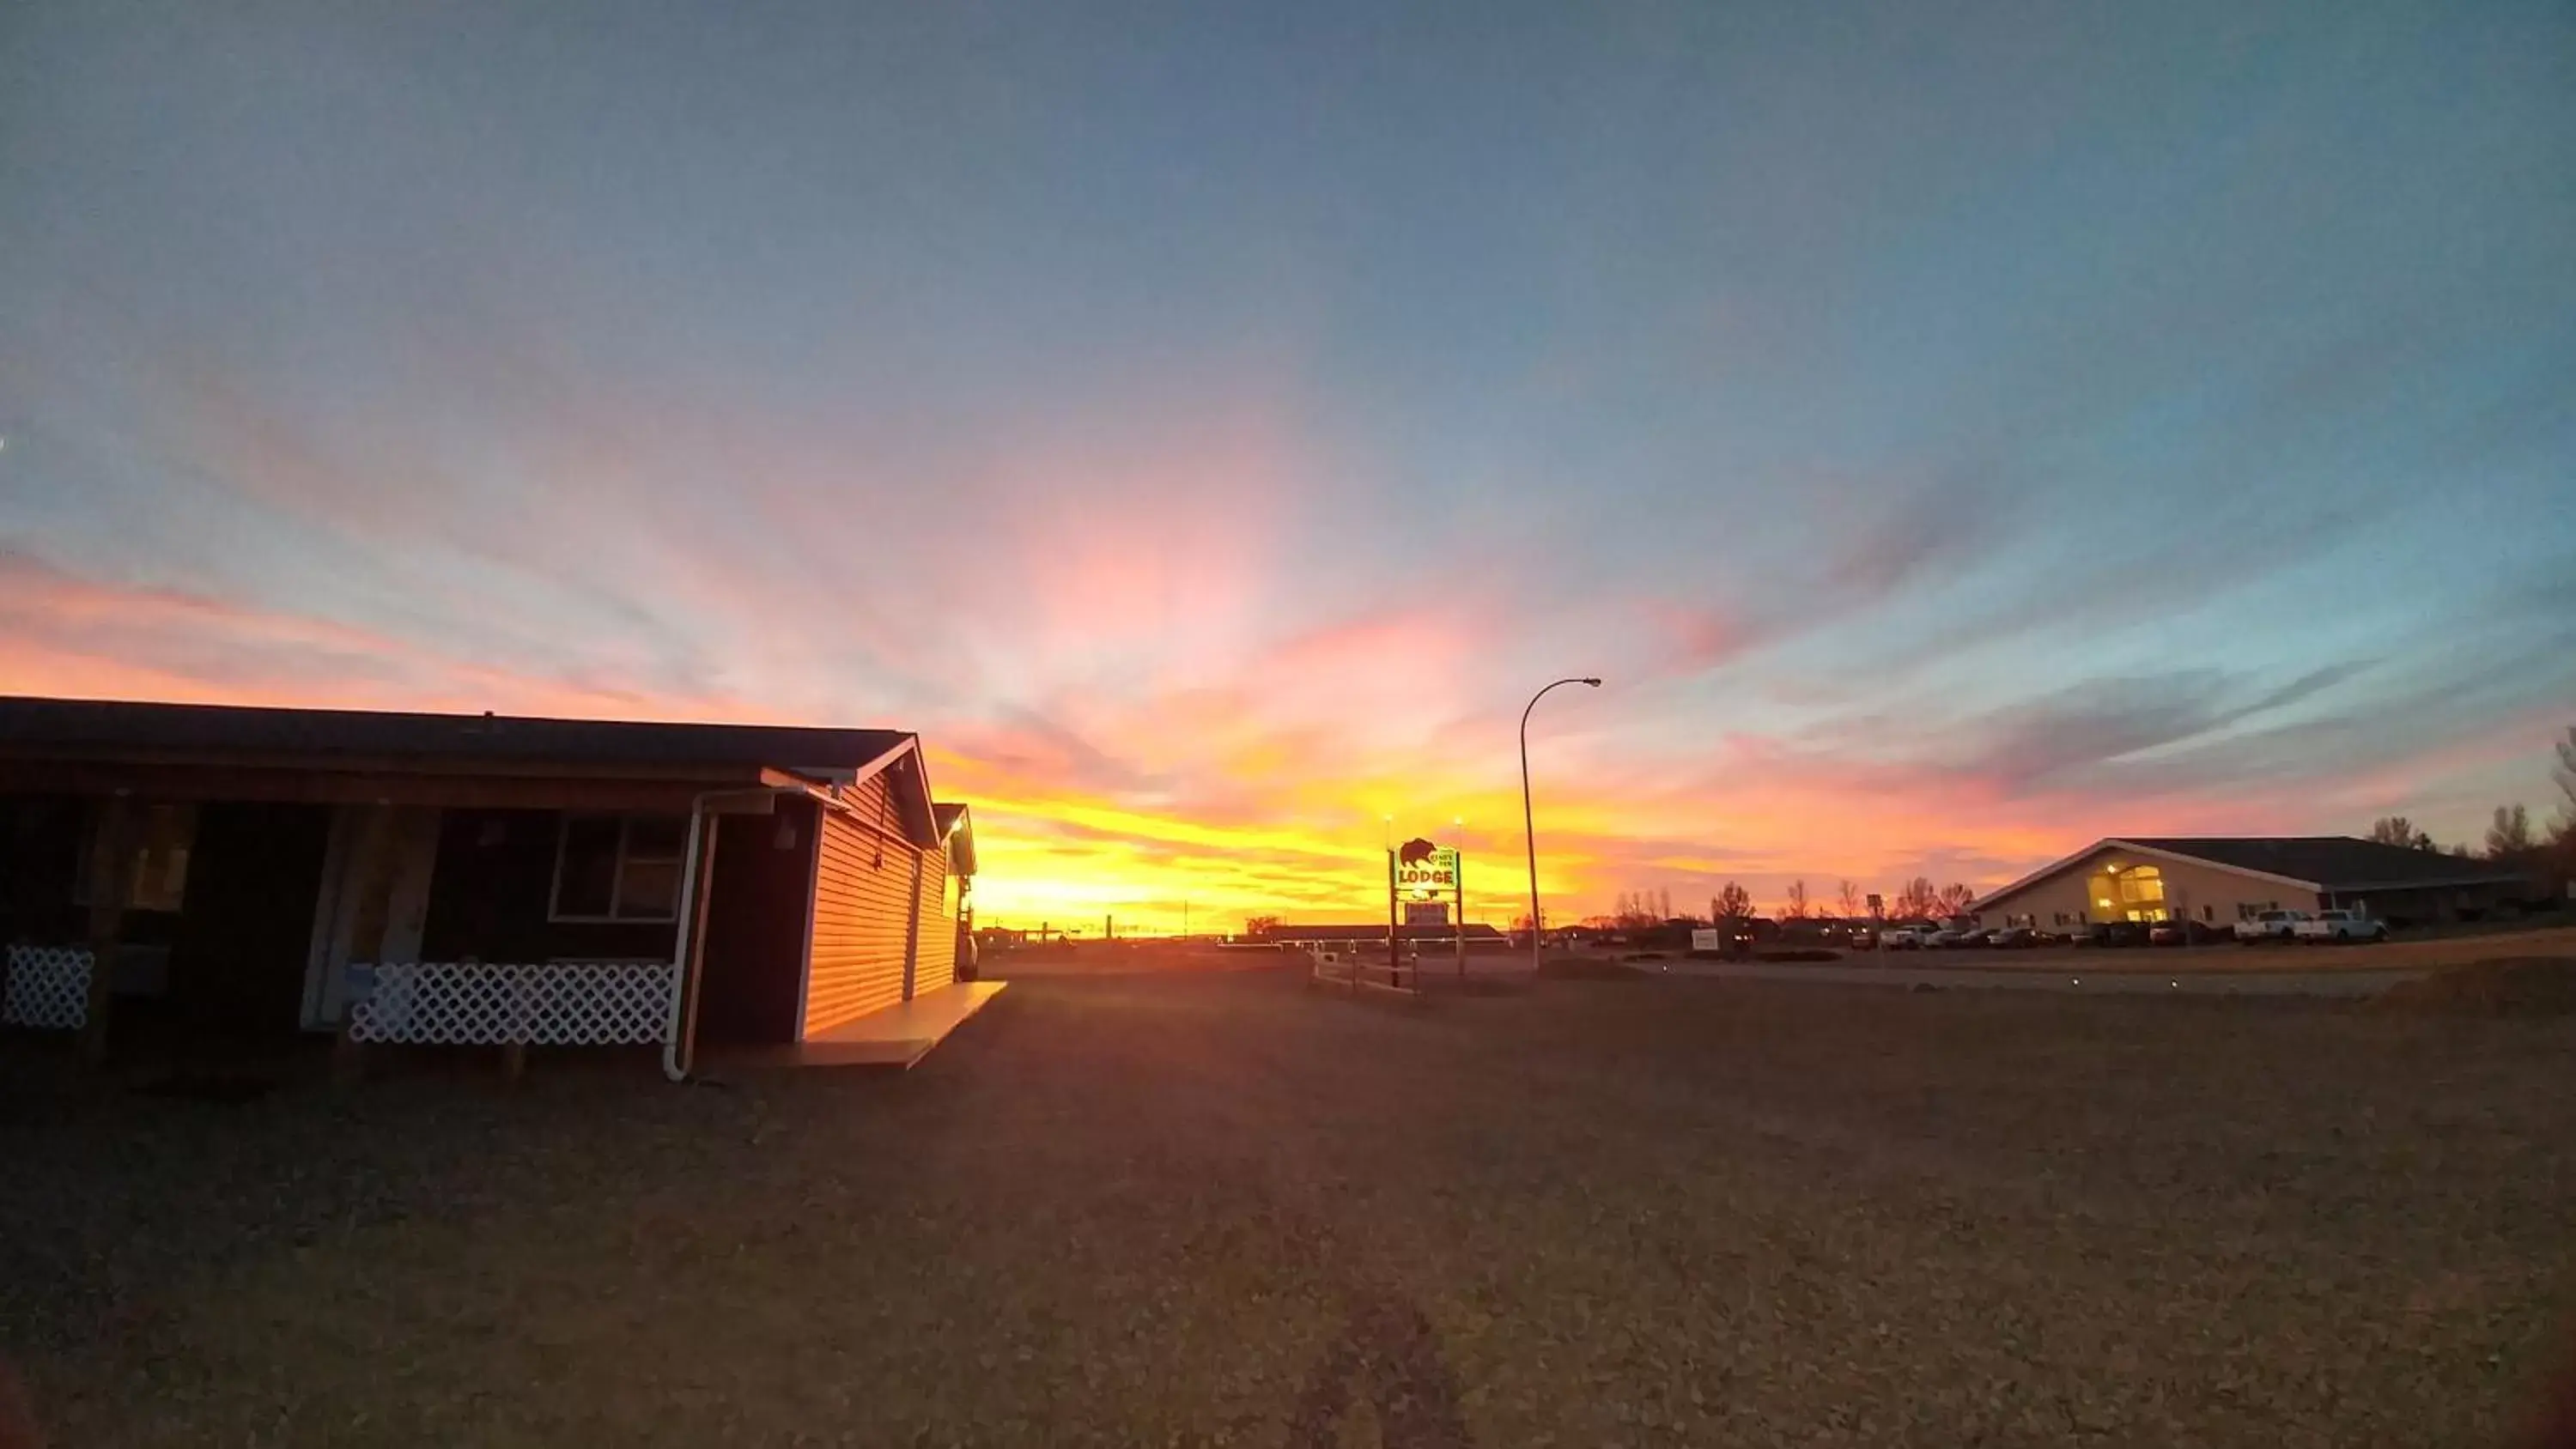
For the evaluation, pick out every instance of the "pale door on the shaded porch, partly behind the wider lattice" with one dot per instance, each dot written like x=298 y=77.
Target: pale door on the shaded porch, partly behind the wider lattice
x=375 y=900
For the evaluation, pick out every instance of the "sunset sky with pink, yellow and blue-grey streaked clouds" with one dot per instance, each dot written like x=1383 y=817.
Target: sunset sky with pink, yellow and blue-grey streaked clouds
x=1951 y=431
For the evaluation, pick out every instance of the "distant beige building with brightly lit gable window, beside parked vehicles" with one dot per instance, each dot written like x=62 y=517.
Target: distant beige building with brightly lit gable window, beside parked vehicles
x=2235 y=879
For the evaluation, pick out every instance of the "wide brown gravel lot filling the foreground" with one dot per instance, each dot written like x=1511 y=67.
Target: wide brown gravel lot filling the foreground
x=1225 y=1211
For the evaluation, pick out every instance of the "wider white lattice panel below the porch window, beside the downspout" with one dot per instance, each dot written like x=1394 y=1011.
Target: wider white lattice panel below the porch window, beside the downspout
x=475 y=1005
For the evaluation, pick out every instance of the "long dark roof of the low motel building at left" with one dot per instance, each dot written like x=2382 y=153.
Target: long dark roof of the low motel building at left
x=32 y=727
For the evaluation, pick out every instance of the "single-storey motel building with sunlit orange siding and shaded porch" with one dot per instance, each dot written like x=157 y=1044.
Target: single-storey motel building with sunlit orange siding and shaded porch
x=197 y=874
